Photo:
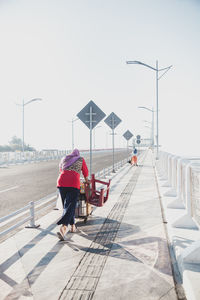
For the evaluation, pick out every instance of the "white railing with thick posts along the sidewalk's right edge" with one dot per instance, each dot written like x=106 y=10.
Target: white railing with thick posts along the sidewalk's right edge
x=181 y=175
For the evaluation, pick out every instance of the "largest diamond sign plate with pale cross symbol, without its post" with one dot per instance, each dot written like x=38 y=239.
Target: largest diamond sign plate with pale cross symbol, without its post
x=95 y=111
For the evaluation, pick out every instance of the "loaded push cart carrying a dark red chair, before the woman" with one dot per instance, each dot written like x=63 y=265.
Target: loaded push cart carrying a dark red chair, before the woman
x=90 y=196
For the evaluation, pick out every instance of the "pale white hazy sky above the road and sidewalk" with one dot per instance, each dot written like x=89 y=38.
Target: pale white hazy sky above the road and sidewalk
x=71 y=52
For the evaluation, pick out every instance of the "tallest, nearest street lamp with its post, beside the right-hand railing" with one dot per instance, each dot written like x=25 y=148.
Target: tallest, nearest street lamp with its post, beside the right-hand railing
x=157 y=78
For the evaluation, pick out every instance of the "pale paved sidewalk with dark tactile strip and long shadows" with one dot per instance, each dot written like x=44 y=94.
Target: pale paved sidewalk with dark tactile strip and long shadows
x=121 y=253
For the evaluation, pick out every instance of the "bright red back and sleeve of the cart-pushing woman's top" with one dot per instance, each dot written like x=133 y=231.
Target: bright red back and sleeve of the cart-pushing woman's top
x=70 y=178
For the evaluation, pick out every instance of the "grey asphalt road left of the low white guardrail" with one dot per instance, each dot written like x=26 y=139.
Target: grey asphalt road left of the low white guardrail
x=20 y=184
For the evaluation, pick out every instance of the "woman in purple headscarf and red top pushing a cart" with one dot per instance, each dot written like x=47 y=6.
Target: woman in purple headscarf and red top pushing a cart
x=68 y=184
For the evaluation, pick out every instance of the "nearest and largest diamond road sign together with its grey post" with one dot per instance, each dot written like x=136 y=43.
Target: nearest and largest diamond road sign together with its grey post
x=91 y=115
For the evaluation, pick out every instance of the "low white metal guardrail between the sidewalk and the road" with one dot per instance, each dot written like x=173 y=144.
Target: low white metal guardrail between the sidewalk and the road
x=42 y=205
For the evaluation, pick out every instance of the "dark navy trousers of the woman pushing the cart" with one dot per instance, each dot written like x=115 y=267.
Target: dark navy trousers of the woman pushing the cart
x=69 y=196
